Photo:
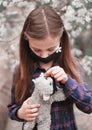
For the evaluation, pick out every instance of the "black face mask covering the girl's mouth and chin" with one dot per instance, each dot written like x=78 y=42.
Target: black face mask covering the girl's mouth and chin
x=51 y=57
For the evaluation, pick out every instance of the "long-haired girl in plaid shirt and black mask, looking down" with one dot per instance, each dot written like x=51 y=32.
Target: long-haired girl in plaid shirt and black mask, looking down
x=45 y=47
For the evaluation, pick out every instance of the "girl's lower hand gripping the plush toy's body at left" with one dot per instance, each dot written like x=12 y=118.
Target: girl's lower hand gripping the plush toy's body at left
x=28 y=112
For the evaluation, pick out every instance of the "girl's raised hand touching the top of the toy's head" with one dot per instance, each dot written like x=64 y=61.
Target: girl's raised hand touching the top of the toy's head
x=57 y=73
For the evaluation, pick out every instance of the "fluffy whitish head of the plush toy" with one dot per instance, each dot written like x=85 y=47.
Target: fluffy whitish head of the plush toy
x=44 y=86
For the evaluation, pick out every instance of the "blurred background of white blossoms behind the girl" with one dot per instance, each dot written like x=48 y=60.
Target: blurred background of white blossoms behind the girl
x=77 y=17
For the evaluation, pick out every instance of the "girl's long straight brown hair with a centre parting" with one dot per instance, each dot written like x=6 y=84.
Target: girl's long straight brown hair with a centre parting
x=40 y=23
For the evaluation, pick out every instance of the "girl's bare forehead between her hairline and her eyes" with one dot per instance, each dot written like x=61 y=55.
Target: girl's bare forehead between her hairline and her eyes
x=44 y=43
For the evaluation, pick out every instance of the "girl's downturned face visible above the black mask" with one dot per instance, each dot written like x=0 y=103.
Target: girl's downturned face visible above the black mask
x=44 y=47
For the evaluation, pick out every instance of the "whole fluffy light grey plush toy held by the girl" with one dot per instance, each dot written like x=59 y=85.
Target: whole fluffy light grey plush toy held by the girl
x=43 y=94
